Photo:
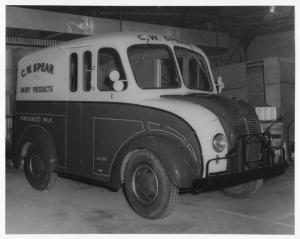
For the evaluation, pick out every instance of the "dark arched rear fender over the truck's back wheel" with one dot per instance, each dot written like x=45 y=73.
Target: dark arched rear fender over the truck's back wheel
x=39 y=135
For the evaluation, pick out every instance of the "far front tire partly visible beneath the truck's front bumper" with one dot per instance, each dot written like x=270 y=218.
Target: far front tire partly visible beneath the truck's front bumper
x=243 y=190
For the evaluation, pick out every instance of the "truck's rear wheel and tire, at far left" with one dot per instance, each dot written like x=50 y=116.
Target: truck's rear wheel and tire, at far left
x=38 y=168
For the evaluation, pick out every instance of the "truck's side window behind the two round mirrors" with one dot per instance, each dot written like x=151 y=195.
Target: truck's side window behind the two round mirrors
x=108 y=60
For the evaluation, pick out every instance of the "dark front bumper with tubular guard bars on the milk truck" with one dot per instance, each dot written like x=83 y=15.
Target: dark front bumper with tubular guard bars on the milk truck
x=239 y=170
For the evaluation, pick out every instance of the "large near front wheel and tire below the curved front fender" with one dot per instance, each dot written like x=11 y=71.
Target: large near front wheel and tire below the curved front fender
x=147 y=186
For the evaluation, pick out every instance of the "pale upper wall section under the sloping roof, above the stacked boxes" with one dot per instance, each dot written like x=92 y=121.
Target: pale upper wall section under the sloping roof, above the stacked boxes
x=280 y=44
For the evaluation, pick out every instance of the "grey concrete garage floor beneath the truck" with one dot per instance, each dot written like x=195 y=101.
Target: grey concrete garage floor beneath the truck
x=74 y=207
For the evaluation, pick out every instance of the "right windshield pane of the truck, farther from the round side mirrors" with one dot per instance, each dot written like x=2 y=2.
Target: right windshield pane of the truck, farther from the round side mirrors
x=194 y=69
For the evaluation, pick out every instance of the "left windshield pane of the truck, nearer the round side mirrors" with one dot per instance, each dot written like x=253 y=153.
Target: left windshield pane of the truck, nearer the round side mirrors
x=153 y=66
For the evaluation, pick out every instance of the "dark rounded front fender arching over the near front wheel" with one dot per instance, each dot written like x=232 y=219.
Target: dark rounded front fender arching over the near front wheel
x=175 y=159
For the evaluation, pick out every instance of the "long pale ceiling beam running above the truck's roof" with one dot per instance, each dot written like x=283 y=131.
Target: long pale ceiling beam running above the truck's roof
x=24 y=18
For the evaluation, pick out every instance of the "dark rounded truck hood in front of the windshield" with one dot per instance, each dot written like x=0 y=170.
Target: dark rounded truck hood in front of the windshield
x=236 y=116
